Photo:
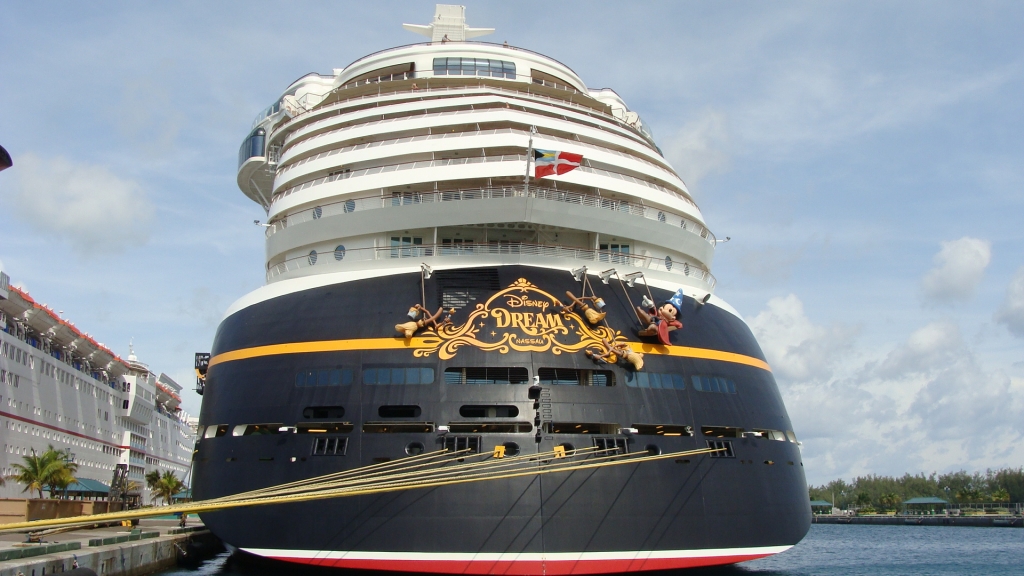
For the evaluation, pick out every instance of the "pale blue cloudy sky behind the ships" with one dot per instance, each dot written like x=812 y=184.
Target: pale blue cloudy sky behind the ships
x=865 y=158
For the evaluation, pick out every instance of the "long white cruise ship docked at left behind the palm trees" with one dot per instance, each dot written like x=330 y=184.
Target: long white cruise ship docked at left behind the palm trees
x=59 y=387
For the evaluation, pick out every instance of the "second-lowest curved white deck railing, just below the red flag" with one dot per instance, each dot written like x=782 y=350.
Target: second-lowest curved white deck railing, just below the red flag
x=592 y=201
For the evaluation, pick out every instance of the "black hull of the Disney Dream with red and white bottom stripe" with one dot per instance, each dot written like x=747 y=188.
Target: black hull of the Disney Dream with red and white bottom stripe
x=668 y=514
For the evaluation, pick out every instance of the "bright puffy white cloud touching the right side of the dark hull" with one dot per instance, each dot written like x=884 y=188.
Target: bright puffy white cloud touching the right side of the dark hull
x=797 y=349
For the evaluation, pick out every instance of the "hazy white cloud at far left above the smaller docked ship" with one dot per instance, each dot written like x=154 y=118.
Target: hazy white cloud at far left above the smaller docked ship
x=86 y=205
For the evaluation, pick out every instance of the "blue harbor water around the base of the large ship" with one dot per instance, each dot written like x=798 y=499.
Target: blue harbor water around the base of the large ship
x=828 y=550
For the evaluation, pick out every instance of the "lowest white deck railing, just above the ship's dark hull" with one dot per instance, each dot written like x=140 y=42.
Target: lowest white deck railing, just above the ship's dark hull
x=343 y=259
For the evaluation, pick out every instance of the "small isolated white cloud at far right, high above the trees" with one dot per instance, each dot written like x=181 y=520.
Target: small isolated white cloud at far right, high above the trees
x=959 y=267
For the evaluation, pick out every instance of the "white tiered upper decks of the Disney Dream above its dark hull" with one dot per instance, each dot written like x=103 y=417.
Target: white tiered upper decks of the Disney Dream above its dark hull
x=419 y=154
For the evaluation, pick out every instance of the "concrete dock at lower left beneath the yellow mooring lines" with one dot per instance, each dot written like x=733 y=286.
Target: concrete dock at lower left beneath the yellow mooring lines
x=115 y=551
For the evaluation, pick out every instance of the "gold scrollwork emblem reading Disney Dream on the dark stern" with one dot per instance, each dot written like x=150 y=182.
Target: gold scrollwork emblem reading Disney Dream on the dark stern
x=521 y=318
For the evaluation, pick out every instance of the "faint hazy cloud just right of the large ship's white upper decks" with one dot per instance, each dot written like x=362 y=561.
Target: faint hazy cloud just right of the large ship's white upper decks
x=699 y=149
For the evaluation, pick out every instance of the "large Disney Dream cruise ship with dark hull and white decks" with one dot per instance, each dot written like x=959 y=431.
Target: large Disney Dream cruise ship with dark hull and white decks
x=468 y=249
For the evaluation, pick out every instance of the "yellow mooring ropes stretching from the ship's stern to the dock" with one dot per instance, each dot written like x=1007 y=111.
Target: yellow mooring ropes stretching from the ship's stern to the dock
x=431 y=470
